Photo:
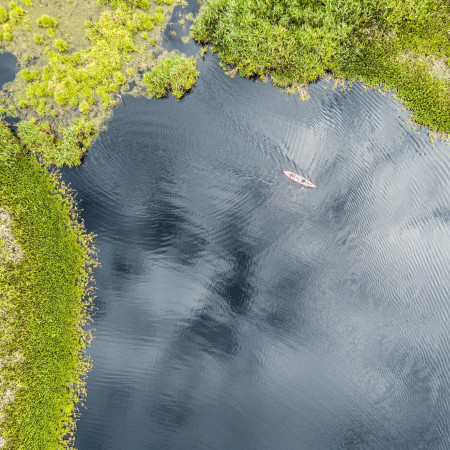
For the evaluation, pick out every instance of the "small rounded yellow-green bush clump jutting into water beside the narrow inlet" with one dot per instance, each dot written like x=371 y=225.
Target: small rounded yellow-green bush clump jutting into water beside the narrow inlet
x=177 y=74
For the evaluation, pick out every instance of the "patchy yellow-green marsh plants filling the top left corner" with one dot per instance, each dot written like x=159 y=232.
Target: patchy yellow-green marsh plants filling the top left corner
x=71 y=81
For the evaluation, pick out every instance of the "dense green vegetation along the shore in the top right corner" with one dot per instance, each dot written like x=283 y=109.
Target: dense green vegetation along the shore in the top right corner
x=403 y=46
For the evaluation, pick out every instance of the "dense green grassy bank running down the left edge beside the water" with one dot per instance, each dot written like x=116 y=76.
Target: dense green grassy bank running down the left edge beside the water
x=44 y=303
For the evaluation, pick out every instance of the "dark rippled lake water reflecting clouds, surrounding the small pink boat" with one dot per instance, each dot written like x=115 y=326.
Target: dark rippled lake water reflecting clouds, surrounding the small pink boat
x=238 y=310
